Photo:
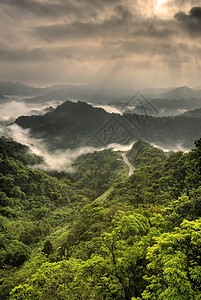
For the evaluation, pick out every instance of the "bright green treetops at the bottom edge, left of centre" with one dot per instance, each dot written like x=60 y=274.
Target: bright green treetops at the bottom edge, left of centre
x=53 y=281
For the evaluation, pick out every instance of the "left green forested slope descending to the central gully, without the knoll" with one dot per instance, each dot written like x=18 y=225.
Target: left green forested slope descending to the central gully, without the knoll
x=29 y=200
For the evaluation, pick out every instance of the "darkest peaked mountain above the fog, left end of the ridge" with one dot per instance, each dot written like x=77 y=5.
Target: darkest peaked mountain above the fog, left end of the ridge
x=69 y=125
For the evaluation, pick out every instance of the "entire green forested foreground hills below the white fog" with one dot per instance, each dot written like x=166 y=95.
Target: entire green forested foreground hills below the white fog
x=140 y=239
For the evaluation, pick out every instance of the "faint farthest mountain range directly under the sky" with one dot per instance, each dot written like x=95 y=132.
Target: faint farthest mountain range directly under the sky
x=86 y=93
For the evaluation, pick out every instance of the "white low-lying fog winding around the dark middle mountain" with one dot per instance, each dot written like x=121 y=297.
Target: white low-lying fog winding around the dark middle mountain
x=60 y=160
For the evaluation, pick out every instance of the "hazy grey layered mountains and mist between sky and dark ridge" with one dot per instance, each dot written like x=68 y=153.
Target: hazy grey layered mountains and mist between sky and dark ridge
x=157 y=102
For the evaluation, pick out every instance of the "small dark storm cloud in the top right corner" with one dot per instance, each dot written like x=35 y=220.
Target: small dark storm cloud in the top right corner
x=191 y=21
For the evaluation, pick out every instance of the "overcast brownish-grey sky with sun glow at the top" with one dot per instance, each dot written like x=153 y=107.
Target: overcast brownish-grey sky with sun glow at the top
x=111 y=43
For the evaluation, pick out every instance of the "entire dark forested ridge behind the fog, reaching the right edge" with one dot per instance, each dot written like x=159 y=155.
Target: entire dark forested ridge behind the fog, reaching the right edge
x=73 y=125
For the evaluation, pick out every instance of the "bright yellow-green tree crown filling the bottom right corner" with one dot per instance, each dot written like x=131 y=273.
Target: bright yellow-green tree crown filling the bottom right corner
x=174 y=262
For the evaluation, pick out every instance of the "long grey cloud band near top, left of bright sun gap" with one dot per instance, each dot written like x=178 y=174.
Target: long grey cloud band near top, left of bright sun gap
x=112 y=25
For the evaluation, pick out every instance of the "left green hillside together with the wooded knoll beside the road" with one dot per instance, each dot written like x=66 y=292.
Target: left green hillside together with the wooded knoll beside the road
x=33 y=205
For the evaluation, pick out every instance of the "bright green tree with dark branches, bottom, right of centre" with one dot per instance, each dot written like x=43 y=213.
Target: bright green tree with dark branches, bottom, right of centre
x=117 y=273
